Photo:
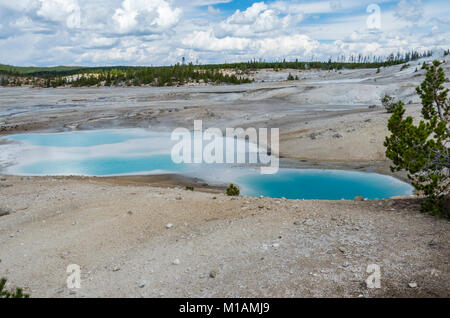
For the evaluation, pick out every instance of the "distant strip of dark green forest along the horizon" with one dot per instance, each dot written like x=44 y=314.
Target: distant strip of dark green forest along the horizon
x=182 y=73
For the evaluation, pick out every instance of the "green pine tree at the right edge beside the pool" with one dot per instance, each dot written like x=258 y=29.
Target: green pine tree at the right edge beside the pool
x=423 y=149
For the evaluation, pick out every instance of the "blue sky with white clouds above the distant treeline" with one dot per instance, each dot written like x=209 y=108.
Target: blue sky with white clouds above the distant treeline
x=161 y=32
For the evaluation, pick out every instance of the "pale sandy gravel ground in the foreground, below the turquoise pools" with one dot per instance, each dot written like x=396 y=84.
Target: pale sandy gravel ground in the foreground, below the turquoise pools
x=254 y=247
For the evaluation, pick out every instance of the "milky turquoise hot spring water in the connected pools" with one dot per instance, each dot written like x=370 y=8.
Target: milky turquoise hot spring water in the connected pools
x=138 y=151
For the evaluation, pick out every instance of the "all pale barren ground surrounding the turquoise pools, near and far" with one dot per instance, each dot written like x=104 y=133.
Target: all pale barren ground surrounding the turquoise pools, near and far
x=115 y=228
